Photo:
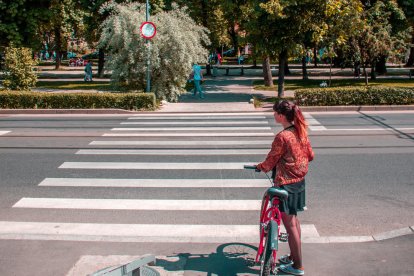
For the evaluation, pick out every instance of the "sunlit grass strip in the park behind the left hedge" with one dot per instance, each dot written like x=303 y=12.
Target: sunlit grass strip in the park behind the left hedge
x=75 y=85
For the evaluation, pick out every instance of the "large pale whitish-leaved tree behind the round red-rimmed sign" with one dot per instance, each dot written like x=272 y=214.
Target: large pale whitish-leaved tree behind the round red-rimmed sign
x=178 y=43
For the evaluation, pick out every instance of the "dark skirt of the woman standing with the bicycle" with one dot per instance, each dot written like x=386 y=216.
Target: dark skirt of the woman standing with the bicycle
x=296 y=200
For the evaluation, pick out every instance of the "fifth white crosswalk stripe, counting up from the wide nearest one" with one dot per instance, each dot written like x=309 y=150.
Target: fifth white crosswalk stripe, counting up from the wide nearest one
x=180 y=152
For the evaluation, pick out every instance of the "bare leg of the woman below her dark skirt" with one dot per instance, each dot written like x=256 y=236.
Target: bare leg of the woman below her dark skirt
x=292 y=226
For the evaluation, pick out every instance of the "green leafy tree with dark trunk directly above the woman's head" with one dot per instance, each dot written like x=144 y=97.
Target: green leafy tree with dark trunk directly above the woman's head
x=278 y=27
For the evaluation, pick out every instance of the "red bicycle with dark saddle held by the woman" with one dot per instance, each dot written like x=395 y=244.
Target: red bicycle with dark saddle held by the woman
x=269 y=228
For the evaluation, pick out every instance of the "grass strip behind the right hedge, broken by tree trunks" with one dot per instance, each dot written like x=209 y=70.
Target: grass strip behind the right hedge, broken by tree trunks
x=298 y=84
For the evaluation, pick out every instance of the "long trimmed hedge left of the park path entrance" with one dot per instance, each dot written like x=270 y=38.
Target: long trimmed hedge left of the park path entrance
x=45 y=100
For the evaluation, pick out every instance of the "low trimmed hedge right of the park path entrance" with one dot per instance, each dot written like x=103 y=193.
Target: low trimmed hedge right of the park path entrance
x=371 y=95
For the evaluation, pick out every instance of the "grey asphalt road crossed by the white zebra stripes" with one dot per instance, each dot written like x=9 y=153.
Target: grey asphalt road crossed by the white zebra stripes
x=359 y=185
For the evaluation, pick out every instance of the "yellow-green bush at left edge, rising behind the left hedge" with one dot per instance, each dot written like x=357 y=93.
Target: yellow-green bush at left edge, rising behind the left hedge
x=19 y=69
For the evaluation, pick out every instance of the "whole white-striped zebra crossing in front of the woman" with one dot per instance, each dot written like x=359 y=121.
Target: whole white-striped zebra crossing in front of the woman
x=224 y=142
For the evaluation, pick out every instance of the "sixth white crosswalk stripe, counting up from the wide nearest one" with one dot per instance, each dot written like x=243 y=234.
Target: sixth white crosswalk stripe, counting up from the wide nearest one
x=182 y=143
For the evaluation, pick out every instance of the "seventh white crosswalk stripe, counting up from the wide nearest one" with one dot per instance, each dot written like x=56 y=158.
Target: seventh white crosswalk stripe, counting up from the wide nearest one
x=194 y=134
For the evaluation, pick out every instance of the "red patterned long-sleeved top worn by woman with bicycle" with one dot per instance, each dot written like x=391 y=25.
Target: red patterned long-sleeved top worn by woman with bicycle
x=290 y=156
